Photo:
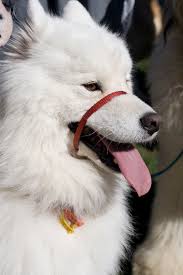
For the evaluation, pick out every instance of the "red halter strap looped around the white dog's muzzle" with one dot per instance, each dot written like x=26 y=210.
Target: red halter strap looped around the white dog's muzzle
x=90 y=112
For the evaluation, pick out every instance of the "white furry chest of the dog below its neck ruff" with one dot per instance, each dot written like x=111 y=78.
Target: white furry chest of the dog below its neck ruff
x=42 y=246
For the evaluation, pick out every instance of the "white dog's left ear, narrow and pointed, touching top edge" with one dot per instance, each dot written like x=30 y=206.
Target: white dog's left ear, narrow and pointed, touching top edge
x=36 y=13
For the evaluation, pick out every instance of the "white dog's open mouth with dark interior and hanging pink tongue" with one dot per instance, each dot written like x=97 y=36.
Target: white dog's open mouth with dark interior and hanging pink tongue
x=119 y=157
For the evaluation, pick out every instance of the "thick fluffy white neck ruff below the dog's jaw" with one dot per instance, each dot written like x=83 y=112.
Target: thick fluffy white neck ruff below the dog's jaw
x=41 y=167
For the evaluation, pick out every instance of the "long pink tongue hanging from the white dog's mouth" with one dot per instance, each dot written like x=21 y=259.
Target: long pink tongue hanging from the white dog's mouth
x=134 y=170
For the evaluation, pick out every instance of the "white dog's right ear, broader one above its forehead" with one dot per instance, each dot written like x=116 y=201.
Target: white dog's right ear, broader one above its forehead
x=76 y=13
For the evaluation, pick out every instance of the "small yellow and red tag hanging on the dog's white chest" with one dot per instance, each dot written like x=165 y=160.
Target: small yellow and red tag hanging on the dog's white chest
x=70 y=221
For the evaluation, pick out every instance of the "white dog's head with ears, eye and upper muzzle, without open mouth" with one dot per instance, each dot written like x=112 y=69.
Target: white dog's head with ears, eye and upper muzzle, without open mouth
x=73 y=63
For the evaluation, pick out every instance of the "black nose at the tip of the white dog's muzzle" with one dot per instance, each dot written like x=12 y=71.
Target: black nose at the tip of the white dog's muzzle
x=150 y=122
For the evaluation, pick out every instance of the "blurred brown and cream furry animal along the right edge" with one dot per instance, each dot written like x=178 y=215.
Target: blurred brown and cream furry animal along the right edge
x=161 y=254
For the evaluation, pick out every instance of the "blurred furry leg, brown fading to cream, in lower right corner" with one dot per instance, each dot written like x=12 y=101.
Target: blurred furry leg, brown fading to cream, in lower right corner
x=161 y=253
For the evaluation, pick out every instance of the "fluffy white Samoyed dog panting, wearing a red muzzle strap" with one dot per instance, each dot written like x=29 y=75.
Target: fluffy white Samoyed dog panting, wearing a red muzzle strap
x=55 y=69
